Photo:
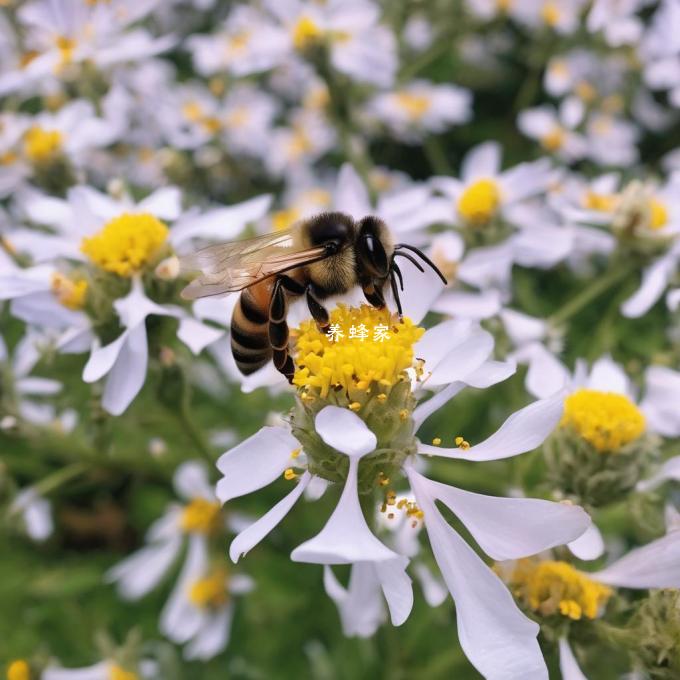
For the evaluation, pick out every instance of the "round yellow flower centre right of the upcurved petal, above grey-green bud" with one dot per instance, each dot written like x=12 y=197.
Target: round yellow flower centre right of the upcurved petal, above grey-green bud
x=606 y=420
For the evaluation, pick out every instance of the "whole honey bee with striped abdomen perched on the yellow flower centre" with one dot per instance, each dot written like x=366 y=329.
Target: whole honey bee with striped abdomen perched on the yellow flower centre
x=325 y=255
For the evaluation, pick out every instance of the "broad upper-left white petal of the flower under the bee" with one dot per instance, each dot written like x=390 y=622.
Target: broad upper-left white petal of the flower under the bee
x=256 y=462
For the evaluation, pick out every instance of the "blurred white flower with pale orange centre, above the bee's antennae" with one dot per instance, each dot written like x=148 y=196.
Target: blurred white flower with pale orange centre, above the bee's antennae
x=420 y=108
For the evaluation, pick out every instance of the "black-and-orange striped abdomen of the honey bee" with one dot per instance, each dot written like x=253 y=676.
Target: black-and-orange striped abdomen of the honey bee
x=250 y=334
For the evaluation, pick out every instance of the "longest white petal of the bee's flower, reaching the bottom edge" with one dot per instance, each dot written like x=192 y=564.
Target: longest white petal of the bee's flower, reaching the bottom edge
x=495 y=636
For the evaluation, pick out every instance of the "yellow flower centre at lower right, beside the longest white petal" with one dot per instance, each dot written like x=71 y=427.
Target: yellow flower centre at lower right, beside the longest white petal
x=552 y=587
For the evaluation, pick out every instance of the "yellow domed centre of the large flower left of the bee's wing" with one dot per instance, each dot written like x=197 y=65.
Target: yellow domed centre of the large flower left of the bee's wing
x=126 y=244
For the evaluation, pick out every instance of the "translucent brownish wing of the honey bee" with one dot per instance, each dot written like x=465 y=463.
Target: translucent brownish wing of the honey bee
x=230 y=267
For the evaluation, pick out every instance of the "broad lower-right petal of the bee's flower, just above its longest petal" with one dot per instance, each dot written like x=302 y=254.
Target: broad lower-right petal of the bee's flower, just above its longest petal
x=510 y=528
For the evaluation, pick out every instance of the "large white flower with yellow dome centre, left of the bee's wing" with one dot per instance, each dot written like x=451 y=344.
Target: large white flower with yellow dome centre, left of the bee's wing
x=121 y=243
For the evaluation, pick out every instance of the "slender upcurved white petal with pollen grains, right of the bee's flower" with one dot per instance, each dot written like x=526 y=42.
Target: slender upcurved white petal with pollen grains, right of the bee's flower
x=523 y=431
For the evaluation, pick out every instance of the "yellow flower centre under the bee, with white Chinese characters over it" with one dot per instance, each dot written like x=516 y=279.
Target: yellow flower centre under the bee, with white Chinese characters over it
x=363 y=345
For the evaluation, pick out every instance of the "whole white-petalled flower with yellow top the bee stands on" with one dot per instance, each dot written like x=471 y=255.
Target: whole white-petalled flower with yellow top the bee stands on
x=359 y=405
